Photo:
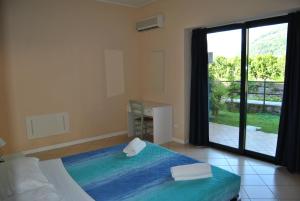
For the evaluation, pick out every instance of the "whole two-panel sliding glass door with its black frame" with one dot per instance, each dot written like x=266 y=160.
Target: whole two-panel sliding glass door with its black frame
x=246 y=75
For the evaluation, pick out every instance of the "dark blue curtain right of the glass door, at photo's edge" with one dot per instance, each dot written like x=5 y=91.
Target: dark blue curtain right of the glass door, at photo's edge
x=288 y=145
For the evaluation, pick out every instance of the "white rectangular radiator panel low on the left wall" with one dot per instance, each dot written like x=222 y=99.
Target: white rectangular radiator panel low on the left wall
x=47 y=125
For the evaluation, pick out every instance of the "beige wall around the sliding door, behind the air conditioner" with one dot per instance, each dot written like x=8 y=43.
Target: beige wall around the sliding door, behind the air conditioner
x=183 y=14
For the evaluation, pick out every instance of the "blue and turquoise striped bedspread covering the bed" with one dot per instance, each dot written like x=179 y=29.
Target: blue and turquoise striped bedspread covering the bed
x=107 y=174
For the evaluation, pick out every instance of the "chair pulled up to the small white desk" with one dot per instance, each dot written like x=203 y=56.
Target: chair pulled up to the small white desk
x=142 y=125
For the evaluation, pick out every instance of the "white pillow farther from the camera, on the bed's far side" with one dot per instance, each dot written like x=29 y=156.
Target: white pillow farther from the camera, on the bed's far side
x=24 y=174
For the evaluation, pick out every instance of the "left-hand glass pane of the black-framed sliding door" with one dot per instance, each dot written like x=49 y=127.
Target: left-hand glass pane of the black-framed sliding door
x=224 y=50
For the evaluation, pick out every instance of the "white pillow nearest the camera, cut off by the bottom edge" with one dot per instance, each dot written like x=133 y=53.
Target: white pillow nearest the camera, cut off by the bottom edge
x=45 y=193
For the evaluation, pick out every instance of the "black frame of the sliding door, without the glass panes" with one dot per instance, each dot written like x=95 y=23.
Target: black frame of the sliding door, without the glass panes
x=244 y=82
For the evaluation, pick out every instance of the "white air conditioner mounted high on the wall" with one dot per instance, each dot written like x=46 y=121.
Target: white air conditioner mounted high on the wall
x=150 y=23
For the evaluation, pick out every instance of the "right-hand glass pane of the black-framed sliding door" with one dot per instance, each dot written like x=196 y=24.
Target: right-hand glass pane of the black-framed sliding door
x=266 y=62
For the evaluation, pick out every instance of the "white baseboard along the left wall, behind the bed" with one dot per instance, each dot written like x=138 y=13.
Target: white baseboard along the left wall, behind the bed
x=74 y=142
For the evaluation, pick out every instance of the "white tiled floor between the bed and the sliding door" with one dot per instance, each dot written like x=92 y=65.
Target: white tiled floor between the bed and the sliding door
x=261 y=181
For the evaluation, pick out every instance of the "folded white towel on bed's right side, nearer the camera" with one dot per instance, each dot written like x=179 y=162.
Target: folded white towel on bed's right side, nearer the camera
x=191 y=171
